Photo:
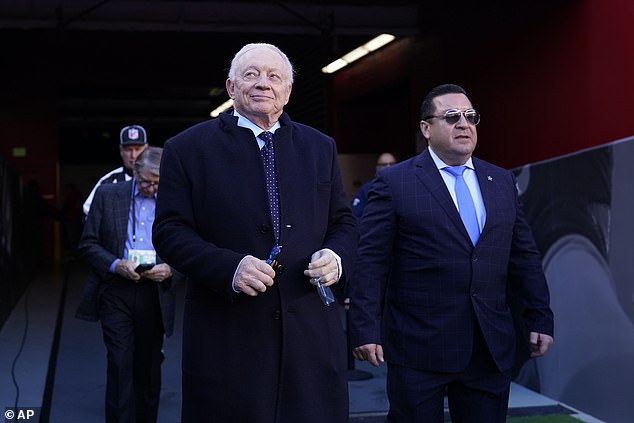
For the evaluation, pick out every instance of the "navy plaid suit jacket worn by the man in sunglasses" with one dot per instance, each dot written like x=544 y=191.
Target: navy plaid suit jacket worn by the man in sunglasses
x=420 y=286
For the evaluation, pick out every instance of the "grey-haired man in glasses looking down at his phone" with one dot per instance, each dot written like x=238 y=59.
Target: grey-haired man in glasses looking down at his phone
x=135 y=307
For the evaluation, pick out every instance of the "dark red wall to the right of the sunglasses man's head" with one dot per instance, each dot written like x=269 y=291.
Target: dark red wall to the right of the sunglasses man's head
x=566 y=87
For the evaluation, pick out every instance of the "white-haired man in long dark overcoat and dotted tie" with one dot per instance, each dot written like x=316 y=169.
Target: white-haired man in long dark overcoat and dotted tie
x=258 y=343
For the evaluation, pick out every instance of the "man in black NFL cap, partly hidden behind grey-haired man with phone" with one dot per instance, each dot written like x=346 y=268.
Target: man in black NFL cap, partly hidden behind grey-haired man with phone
x=132 y=142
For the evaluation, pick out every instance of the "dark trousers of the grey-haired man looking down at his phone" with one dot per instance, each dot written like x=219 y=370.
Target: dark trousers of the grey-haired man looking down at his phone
x=133 y=332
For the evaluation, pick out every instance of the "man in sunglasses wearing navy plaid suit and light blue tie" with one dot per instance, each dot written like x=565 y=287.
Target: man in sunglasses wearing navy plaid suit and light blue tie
x=429 y=298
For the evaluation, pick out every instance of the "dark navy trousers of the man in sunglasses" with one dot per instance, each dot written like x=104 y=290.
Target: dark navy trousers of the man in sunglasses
x=479 y=393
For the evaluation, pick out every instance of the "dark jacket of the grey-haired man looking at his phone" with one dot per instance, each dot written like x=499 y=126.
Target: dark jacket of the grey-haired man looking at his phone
x=103 y=241
